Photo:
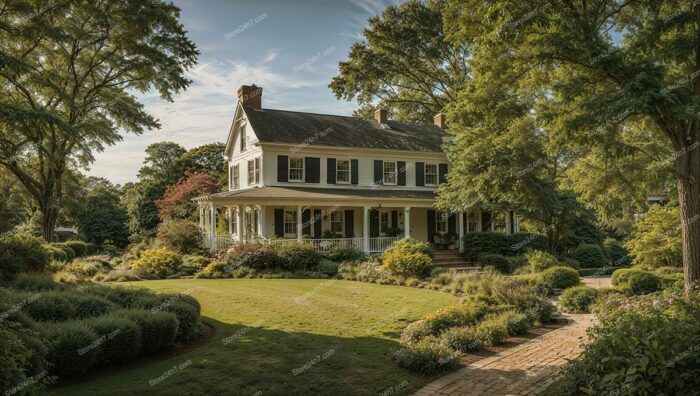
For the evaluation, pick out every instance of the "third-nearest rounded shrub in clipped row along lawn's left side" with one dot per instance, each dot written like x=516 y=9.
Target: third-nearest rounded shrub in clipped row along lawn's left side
x=157 y=329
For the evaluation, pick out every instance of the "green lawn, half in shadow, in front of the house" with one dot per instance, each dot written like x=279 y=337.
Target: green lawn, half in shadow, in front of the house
x=284 y=337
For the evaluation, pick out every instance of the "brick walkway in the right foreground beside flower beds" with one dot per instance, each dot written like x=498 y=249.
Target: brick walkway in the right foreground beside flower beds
x=527 y=369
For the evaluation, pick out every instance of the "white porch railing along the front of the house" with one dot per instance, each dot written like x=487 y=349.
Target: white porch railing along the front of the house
x=376 y=245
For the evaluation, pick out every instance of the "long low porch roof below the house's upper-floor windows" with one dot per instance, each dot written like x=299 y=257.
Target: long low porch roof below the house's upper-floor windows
x=318 y=194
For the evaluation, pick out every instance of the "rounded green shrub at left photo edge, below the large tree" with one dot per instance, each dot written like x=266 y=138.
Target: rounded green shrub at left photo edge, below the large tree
x=22 y=253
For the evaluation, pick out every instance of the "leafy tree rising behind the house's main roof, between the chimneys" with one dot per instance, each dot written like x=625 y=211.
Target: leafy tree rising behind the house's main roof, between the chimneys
x=404 y=63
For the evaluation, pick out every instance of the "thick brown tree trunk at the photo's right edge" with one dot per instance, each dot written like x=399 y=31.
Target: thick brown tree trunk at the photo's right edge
x=688 y=174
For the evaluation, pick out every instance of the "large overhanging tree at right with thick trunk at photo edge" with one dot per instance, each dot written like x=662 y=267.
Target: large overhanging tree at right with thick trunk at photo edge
x=601 y=64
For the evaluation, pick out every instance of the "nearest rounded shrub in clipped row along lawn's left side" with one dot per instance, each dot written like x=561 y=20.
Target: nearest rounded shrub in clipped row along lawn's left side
x=69 y=349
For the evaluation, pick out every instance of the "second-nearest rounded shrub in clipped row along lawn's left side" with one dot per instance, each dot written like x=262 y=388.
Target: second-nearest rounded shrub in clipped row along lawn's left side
x=118 y=340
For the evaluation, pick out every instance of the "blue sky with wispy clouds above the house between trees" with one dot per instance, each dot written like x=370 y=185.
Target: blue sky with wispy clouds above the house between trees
x=291 y=48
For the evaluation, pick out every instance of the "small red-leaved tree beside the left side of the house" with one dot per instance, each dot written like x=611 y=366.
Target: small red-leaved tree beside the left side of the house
x=177 y=200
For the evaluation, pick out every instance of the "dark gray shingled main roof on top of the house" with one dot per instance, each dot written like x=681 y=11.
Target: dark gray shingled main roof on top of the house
x=280 y=126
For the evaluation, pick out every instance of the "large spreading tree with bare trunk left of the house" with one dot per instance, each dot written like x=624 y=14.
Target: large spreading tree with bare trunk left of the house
x=69 y=71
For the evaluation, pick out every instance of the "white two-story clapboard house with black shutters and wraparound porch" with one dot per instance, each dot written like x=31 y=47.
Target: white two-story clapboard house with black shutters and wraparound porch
x=329 y=180
